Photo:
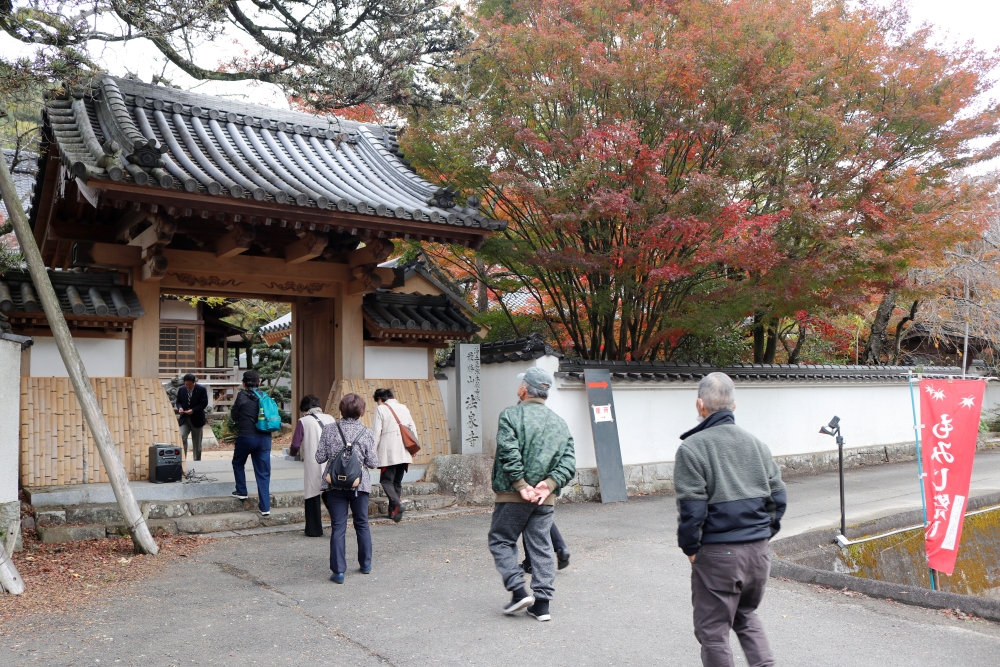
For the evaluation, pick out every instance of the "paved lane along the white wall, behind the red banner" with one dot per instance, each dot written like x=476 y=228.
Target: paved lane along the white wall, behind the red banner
x=814 y=501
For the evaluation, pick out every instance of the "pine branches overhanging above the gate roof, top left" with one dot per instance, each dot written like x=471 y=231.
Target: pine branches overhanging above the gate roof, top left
x=328 y=54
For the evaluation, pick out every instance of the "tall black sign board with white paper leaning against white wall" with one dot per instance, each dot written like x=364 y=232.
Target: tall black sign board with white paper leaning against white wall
x=603 y=424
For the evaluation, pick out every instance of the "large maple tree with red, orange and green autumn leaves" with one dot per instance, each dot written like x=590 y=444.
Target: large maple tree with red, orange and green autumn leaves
x=677 y=169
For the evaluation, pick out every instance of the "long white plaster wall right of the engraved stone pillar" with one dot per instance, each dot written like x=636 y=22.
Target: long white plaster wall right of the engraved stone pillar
x=652 y=416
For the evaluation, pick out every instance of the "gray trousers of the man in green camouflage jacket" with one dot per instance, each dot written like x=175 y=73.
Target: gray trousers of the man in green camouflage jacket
x=510 y=522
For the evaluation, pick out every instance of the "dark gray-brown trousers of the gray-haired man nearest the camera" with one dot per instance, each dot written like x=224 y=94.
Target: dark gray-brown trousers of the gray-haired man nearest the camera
x=727 y=585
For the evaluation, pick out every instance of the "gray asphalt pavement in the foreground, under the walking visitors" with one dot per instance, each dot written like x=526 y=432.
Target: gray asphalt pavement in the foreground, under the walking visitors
x=434 y=599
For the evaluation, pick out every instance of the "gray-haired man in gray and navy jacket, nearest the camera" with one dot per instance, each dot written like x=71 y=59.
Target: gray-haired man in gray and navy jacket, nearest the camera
x=730 y=498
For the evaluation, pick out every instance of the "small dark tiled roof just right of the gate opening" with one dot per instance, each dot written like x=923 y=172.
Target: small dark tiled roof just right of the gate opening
x=389 y=315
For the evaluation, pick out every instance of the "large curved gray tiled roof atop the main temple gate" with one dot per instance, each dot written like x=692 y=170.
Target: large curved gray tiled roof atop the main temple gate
x=161 y=137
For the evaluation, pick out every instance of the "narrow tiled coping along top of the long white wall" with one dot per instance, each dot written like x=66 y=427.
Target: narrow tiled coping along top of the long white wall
x=665 y=371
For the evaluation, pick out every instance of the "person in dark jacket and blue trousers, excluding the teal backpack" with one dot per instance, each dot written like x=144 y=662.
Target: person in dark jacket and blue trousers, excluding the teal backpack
x=251 y=442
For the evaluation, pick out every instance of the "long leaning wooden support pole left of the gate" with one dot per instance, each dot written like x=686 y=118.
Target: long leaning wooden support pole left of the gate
x=139 y=531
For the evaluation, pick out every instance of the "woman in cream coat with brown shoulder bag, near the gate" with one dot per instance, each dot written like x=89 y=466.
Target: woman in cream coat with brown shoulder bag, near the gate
x=393 y=459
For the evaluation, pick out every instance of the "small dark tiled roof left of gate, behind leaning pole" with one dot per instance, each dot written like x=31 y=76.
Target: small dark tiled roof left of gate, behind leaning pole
x=81 y=295
